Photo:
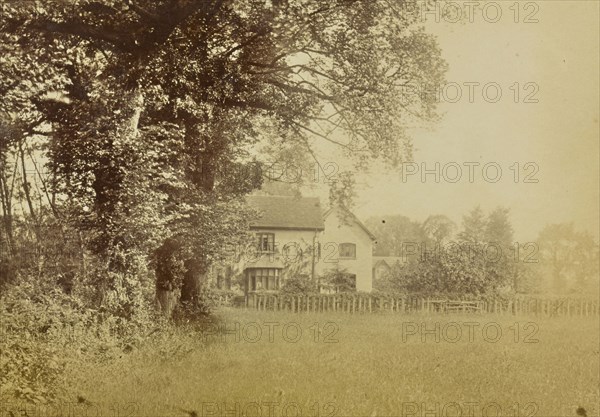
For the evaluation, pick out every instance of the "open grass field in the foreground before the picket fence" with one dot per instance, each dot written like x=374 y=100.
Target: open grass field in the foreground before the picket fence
x=344 y=365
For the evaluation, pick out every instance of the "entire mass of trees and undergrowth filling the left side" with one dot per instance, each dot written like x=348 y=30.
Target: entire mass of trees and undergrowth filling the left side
x=131 y=131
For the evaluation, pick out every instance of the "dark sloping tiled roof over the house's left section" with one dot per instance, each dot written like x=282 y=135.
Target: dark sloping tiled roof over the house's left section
x=285 y=212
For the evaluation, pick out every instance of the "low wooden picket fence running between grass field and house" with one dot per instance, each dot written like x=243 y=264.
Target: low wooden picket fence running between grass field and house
x=360 y=303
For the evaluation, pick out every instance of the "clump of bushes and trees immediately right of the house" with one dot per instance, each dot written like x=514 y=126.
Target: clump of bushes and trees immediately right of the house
x=482 y=260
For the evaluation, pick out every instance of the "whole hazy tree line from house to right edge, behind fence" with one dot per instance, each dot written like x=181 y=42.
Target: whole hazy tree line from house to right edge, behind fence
x=482 y=257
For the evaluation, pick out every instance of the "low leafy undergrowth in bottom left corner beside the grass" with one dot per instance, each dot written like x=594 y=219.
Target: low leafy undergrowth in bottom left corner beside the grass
x=43 y=330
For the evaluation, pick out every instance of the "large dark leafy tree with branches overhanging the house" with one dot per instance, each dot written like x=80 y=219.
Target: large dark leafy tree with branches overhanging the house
x=157 y=105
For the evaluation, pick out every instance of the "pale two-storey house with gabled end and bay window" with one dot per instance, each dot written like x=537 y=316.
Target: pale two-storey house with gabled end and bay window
x=295 y=235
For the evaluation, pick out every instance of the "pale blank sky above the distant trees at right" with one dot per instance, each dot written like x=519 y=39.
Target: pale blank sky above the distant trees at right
x=543 y=126
